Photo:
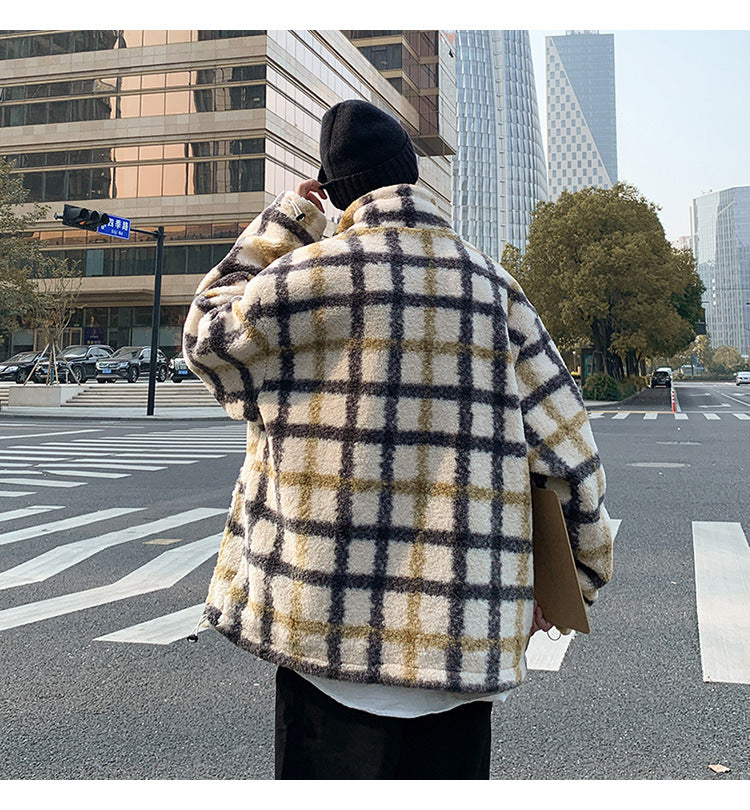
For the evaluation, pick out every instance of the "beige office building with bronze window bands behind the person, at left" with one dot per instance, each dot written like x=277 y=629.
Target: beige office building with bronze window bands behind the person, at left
x=195 y=131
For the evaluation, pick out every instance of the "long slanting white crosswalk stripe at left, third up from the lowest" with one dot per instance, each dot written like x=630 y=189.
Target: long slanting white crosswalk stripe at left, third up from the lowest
x=63 y=557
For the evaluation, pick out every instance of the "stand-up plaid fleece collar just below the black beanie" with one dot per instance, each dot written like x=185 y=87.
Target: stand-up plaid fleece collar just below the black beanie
x=401 y=205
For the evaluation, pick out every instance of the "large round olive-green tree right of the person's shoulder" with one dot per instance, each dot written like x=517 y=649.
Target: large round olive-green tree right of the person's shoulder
x=600 y=271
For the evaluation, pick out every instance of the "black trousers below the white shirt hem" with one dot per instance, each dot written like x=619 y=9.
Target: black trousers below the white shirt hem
x=319 y=738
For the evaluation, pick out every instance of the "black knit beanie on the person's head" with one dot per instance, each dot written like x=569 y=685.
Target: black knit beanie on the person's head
x=361 y=149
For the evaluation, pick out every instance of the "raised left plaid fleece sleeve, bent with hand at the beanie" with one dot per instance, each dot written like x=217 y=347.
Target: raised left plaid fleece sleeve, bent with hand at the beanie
x=224 y=341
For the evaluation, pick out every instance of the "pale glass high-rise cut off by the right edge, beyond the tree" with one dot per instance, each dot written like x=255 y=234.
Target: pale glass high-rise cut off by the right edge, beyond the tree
x=720 y=235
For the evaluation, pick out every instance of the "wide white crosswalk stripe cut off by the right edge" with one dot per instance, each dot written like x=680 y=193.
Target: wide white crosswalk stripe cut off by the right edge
x=722 y=592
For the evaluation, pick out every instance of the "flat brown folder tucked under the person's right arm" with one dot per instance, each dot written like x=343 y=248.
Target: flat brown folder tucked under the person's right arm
x=556 y=587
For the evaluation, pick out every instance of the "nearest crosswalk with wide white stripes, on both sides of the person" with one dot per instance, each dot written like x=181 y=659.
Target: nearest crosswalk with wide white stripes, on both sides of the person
x=62 y=540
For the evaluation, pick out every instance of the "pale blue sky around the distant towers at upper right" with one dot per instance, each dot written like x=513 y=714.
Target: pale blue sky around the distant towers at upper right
x=683 y=113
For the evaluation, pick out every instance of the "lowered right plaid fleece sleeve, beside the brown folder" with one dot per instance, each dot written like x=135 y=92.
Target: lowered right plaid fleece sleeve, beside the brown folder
x=562 y=453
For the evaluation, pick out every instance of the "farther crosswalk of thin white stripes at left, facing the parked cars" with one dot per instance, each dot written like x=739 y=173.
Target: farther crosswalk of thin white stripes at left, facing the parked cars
x=64 y=462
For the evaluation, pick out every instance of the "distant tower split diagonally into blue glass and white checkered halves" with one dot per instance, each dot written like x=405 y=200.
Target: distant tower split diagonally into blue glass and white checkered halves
x=581 y=114
